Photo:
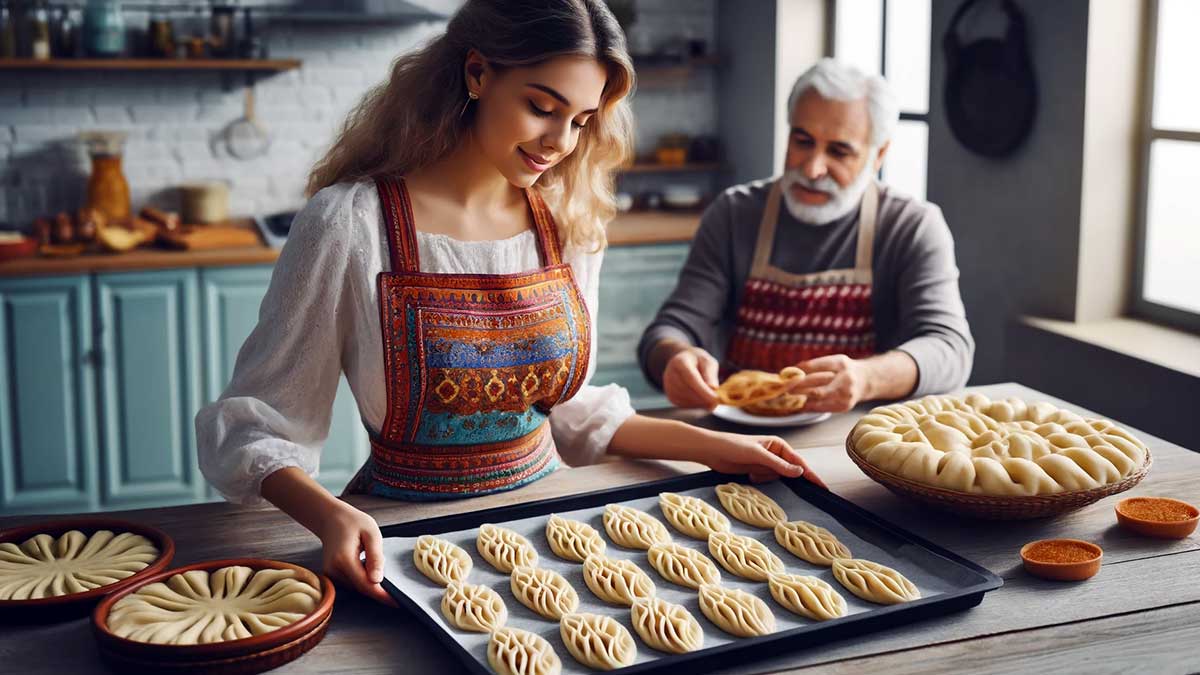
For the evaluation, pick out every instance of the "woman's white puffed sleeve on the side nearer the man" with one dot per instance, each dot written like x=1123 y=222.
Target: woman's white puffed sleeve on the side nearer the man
x=584 y=427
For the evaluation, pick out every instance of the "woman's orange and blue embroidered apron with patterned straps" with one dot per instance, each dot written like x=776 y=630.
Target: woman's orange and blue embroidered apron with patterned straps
x=473 y=365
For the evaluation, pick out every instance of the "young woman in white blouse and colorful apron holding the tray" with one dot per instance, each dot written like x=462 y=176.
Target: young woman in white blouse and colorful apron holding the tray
x=448 y=264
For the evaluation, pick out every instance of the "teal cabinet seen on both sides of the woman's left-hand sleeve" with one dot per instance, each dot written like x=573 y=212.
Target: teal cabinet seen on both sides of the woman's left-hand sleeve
x=232 y=297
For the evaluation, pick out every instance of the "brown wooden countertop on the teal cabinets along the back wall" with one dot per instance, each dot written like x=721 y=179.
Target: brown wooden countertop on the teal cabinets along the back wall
x=628 y=230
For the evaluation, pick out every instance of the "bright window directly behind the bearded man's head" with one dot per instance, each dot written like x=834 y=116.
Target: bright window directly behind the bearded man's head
x=891 y=38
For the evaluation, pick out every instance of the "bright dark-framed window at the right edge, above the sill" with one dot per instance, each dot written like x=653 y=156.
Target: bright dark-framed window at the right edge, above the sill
x=1168 y=274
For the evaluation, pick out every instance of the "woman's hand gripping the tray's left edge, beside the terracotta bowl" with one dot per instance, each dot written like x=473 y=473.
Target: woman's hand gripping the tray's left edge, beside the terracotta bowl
x=344 y=535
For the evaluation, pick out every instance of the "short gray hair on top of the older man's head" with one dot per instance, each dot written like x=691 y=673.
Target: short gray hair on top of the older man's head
x=842 y=82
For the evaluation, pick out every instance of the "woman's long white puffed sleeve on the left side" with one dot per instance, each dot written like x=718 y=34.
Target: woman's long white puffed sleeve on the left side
x=278 y=408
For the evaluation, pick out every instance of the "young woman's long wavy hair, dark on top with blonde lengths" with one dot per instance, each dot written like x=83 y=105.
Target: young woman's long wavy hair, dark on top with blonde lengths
x=417 y=117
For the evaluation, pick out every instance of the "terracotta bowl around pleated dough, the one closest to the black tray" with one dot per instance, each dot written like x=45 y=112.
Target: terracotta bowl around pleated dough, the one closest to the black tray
x=248 y=655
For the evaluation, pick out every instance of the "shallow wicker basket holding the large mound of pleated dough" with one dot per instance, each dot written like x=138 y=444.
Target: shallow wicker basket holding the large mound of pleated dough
x=994 y=507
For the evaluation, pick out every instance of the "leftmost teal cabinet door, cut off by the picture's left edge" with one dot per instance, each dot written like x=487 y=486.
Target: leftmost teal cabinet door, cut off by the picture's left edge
x=49 y=445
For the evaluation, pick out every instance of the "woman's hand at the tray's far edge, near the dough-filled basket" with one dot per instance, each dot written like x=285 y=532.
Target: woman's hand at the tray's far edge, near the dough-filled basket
x=764 y=458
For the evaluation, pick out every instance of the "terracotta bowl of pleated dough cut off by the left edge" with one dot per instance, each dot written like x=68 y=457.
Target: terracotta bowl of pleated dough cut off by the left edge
x=79 y=605
